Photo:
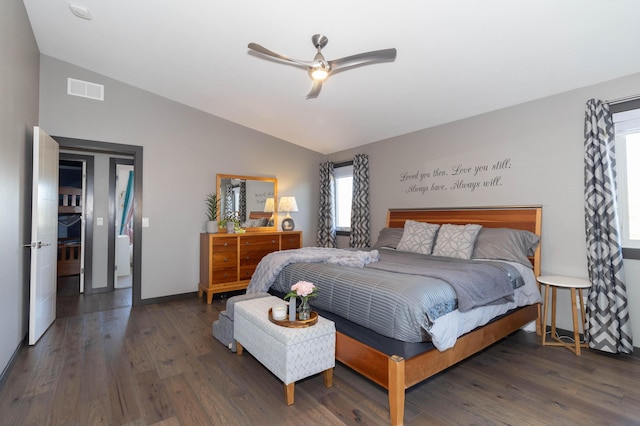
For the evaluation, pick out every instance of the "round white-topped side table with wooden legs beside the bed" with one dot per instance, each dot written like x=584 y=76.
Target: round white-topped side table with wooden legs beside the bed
x=573 y=284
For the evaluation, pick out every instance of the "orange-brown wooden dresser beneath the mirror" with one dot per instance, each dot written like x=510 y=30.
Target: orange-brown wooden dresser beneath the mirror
x=227 y=261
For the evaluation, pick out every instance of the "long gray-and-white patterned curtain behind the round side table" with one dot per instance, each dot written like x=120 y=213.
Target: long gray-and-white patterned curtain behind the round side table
x=608 y=324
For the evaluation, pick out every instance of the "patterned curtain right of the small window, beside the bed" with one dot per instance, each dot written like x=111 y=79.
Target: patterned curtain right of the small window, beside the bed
x=360 y=222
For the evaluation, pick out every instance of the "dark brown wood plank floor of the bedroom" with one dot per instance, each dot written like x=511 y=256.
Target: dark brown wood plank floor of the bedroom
x=159 y=365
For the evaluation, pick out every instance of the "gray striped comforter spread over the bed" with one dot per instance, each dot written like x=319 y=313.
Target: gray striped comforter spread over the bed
x=396 y=296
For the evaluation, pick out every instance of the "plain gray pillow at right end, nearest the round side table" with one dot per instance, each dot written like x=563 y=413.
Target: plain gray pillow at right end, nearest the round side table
x=506 y=244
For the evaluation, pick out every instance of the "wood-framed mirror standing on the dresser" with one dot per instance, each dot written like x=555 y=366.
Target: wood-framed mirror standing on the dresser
x=245 y=197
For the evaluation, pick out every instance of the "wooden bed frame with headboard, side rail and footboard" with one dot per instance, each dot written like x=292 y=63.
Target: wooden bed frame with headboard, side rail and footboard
x=397 y=374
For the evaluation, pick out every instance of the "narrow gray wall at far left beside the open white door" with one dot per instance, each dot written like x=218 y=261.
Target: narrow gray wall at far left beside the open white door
x=18 y=114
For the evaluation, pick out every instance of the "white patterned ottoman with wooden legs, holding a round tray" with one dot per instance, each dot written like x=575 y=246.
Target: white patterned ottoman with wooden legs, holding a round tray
x=289 y=353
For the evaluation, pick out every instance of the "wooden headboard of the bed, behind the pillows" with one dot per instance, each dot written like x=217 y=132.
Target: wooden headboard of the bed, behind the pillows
x=528 y=218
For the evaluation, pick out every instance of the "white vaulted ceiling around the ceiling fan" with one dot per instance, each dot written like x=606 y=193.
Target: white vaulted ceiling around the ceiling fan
x=456 y=58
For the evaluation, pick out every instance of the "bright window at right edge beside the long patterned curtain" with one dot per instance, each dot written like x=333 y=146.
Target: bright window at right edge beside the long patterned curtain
x=627 y=130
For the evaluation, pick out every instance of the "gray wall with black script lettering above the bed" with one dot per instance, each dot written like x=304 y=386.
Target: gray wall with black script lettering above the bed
x=534 y=155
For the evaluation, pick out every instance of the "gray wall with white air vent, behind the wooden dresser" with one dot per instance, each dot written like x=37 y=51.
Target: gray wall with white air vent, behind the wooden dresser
x=183 y=150
